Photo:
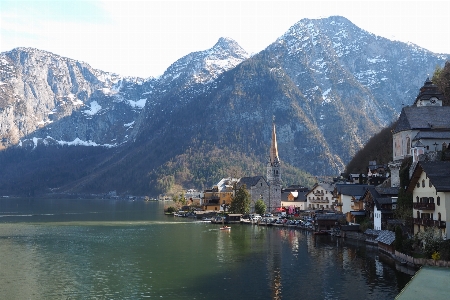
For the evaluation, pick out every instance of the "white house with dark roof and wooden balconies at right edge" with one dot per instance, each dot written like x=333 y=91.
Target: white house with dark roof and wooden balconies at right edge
x=430 y=186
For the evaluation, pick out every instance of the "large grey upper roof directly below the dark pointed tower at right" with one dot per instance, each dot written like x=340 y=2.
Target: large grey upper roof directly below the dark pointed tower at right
x=423 y=118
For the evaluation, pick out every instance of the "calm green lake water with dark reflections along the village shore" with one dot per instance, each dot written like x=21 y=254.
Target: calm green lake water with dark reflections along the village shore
x=116 y=249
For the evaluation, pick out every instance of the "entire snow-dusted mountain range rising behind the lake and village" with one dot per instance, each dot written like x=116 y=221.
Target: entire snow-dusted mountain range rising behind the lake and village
x=328 y=84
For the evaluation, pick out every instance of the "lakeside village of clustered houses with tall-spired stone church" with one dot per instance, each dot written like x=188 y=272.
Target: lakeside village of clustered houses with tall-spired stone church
x=370 y=203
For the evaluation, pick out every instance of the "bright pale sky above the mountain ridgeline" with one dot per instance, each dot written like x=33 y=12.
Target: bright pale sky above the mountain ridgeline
x=143 y=38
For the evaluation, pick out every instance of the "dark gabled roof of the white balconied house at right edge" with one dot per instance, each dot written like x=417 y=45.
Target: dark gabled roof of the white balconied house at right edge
x=437 y=171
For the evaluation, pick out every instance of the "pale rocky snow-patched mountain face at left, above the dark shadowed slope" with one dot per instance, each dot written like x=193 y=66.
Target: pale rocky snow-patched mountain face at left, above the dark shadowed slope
x=55 y=100
